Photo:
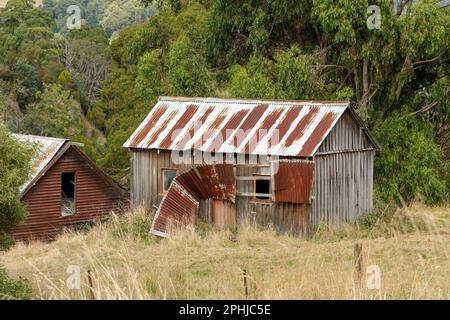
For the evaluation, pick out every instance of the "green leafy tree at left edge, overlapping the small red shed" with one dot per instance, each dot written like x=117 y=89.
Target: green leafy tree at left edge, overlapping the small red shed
x=14 y=168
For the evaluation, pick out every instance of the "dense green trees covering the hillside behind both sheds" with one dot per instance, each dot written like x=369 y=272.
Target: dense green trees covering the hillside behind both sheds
x=396 y=76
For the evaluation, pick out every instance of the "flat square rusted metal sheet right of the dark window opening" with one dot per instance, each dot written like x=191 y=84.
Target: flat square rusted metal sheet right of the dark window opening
x=293 y=181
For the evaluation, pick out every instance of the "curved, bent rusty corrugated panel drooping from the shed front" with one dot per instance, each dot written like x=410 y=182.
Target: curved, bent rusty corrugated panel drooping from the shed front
x=179 y=207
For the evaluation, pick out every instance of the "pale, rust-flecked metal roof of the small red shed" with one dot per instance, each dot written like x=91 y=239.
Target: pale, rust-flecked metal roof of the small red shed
x=47 y=148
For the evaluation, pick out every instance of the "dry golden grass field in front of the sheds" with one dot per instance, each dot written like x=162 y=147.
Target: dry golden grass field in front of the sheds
x=127 y=263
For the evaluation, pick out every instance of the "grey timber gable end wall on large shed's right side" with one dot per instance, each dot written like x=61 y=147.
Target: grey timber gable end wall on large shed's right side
x=343 y=182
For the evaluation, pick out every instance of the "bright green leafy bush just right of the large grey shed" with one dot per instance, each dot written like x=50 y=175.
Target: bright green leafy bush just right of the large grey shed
x=411 y=165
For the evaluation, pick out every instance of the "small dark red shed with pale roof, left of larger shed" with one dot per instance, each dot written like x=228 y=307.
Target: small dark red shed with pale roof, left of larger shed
x=65 y=187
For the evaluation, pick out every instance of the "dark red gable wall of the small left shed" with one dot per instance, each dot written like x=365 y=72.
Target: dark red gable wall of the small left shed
x=93 y=198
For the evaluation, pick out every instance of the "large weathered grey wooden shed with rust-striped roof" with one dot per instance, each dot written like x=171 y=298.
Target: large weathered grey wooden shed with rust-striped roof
x=290 y=164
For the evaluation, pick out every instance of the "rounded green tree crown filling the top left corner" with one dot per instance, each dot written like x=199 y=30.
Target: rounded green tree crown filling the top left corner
x=29 y=49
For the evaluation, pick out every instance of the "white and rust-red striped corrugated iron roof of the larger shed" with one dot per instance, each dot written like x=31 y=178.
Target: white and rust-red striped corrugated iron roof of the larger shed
x=265 y=127
